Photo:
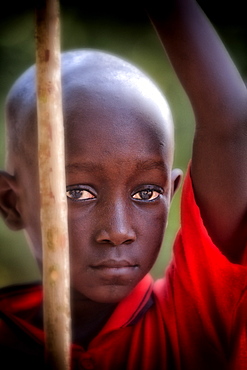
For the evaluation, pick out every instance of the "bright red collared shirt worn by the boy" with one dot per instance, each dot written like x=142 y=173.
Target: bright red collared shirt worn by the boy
x=194 y=318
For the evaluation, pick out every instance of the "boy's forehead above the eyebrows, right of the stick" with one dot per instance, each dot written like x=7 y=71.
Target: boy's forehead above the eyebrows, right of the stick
x=116 y=122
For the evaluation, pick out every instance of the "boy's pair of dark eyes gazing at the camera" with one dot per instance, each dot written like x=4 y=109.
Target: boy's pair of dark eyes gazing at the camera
x=147 y=194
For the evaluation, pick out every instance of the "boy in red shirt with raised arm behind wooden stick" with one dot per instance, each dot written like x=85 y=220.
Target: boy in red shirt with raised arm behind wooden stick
x=120 y=182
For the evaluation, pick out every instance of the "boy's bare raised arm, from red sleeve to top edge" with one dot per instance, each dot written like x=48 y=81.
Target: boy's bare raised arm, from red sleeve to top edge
x=219 y=100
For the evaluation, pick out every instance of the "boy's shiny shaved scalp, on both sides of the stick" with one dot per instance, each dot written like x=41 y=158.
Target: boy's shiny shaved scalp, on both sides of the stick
x=91 y=80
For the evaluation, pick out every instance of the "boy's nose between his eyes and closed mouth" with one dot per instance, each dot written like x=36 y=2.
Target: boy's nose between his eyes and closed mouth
x=115 y=227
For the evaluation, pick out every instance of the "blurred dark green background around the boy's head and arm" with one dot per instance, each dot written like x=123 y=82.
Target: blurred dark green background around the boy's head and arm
x=127 y=32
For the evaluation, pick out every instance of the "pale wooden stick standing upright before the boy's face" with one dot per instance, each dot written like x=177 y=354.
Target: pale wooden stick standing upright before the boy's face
x=52 y=186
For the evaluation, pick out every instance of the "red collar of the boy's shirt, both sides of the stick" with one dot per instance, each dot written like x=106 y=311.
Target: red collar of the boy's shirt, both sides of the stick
x=14 y=302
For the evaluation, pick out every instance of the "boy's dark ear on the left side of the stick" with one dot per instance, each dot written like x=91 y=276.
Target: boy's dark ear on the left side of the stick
x=9 y=201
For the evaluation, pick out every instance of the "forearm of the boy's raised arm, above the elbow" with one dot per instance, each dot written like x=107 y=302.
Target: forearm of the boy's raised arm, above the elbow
x=201 y=63
